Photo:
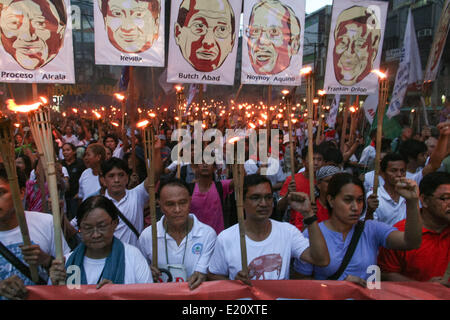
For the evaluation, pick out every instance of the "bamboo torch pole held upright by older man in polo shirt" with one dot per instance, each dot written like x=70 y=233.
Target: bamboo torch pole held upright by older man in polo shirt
x=149 y=146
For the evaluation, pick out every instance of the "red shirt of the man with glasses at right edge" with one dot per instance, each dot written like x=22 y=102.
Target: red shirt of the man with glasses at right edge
x=422 y=264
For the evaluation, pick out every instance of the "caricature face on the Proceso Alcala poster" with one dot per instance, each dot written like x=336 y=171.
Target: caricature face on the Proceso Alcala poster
x=31 y=32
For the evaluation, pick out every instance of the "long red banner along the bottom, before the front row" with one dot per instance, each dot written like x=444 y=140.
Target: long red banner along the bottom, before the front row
x=260 y=290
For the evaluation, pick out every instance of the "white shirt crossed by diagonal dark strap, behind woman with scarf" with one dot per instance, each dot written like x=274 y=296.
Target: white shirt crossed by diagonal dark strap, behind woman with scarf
x=132 y=207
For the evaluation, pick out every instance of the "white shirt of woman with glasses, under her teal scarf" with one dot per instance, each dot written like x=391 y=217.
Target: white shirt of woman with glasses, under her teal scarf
x=136 y=267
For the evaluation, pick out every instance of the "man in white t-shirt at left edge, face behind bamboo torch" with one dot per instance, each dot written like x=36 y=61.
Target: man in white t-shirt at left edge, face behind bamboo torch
x=41 y=250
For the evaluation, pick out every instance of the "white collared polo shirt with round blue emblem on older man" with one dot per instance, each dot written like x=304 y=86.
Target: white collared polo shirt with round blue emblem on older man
x=199 y=246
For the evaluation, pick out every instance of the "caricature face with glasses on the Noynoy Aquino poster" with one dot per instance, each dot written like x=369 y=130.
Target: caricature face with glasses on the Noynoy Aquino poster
x=273 y=36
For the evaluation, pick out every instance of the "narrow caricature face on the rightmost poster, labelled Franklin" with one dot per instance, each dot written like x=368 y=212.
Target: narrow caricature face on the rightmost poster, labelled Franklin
x=357 y=38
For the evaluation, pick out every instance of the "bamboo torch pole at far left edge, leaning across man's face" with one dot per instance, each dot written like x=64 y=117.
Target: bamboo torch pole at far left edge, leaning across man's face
x=7 y=151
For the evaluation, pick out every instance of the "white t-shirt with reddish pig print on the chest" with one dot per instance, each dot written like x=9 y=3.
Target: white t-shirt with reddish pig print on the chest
x=267 y=260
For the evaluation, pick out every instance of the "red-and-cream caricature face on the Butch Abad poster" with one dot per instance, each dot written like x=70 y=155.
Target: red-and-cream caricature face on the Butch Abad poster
x=206 y=37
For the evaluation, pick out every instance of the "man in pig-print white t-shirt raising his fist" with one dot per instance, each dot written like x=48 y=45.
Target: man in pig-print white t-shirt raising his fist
x=270 y=244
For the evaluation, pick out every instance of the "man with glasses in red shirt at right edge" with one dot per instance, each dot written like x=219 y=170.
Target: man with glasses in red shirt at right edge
x=429 y=262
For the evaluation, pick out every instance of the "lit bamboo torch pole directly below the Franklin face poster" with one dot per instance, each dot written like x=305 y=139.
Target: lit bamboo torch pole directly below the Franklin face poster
x=383 y=94
